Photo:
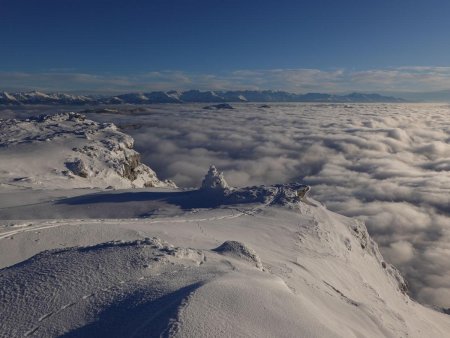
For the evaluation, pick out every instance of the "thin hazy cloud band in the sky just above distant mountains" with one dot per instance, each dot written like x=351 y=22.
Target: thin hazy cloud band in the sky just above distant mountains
x=298 y=80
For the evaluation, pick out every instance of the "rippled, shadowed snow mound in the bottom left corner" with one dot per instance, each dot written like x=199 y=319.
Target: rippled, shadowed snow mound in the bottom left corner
x=113 y=288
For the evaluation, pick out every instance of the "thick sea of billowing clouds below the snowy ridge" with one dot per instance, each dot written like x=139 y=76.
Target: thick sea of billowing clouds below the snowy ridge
x=388 y=164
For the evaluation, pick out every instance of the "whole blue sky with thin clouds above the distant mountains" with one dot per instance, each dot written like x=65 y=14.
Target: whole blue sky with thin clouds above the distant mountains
x=329 y=46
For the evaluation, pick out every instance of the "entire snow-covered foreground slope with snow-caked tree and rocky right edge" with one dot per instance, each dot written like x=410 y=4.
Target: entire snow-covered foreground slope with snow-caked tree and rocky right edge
x=263 y=261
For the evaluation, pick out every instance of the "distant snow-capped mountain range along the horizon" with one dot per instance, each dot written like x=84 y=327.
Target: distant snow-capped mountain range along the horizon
x=190 y=96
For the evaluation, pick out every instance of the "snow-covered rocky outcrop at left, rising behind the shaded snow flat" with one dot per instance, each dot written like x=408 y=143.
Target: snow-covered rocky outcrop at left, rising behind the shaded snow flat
x=68 y=150
